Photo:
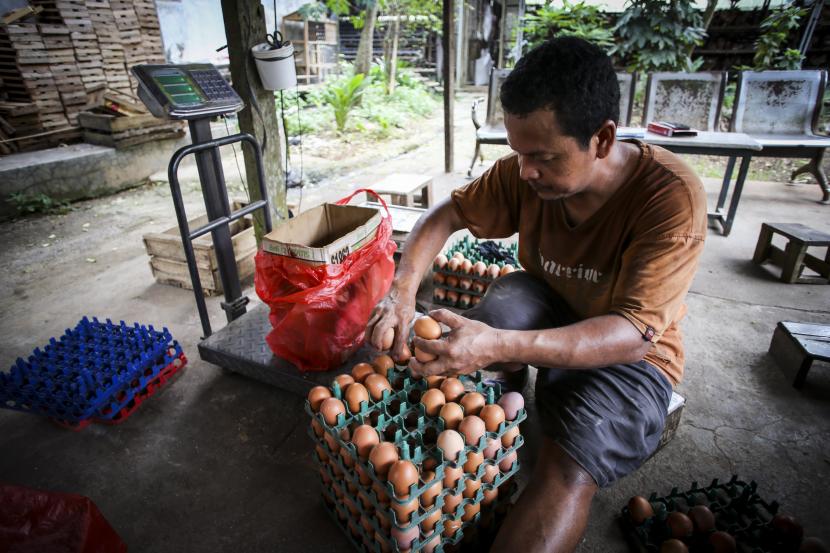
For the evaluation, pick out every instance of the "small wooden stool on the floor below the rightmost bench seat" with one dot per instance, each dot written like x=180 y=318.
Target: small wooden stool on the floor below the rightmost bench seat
x=794 y=257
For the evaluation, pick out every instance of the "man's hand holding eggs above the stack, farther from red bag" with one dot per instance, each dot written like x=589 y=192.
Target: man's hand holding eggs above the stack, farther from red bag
x=469 y=346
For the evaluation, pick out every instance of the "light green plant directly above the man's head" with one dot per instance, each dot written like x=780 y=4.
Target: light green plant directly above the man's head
x=572 y=19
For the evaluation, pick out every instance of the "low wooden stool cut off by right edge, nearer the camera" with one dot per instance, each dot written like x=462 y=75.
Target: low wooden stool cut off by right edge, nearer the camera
x=795 y=346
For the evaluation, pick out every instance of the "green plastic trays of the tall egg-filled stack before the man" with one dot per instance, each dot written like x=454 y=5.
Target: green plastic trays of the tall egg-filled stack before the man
x=396 y=409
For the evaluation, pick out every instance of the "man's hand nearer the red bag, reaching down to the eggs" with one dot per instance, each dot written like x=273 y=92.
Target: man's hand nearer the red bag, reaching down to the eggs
x=395 y=311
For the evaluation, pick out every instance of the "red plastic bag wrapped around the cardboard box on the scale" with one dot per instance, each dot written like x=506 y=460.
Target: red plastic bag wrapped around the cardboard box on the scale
x=319 y=313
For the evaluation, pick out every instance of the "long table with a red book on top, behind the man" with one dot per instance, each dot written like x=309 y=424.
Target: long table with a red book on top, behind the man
x=731 y=144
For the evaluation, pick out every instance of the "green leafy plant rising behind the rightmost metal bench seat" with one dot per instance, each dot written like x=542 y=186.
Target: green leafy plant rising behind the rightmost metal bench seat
x=775 y=32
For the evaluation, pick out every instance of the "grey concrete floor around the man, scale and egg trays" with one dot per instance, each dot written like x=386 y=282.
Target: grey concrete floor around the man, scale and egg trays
x=217 y=462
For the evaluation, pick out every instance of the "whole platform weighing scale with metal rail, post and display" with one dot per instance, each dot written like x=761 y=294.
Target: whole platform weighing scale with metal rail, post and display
x=198 y=93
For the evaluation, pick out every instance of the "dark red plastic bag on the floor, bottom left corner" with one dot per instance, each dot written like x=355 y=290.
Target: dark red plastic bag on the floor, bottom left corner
x=36 y=521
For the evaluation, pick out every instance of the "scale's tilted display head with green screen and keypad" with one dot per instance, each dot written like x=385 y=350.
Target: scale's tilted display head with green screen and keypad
x=188 y=91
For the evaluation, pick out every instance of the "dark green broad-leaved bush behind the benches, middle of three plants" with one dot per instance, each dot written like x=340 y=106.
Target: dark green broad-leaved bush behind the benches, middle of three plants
x=659 y=35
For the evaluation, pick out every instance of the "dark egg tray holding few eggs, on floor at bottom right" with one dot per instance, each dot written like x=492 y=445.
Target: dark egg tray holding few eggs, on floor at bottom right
x=737 y=507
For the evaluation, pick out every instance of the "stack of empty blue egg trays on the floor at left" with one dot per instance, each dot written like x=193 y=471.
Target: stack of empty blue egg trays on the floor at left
x=92 y=371
